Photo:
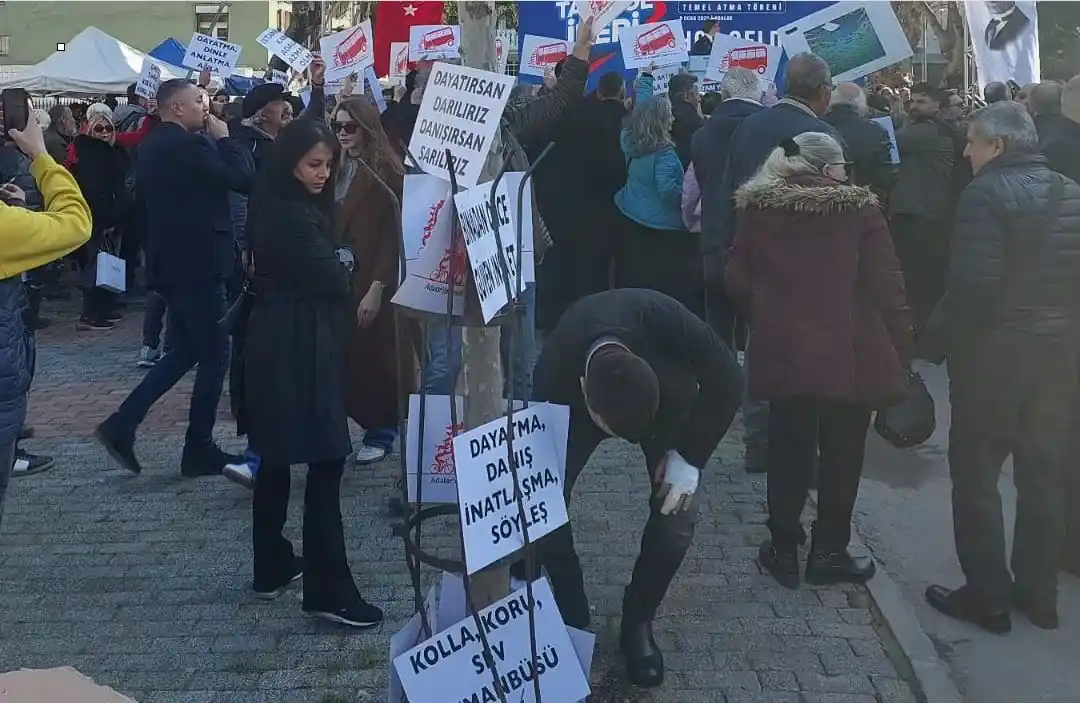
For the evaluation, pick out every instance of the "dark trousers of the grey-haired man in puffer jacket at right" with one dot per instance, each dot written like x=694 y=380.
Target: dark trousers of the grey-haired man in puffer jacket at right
x=1028 y=414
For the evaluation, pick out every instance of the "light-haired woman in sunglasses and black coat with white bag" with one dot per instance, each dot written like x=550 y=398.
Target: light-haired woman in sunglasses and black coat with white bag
x=101 y=167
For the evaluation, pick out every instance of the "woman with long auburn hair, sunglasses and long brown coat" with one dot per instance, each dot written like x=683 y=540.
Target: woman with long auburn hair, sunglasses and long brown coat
x=379 y=369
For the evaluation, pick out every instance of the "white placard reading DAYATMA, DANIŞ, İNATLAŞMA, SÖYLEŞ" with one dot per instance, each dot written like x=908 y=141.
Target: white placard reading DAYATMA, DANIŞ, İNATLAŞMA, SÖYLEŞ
x=491 y=525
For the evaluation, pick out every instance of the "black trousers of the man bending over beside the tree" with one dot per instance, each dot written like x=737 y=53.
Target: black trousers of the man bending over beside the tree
x=665 y=543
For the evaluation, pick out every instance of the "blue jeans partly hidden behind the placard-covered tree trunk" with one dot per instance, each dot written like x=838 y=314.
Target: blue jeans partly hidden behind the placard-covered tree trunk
x=444 y=355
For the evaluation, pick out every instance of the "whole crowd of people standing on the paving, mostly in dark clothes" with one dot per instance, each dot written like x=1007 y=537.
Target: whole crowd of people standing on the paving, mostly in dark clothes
x=787 y=228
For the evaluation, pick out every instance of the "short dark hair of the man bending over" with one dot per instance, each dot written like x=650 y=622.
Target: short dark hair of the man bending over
x=624 y=390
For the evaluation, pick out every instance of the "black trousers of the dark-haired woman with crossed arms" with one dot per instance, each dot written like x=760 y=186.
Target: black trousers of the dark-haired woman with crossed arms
x=328 y=582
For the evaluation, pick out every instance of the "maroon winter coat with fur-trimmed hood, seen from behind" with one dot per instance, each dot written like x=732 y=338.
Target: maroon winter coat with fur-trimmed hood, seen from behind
x=814 y=267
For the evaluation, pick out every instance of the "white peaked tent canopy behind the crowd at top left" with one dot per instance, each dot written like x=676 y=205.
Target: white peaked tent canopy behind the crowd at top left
x=92 y=64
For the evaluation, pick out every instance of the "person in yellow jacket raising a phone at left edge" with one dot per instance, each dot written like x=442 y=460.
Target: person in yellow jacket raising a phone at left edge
x=30 y=240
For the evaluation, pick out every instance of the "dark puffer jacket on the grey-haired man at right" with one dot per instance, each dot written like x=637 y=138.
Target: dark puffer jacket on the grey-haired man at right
x=1015 y=281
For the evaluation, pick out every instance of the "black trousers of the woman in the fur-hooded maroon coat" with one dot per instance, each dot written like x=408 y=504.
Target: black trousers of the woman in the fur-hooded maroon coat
x=798 y=427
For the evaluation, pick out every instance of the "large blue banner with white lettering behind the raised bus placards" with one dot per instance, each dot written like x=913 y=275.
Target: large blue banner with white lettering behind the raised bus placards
x=754 y=21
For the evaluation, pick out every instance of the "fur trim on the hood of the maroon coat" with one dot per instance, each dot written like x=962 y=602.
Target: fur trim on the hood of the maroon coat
x=805 y=195
